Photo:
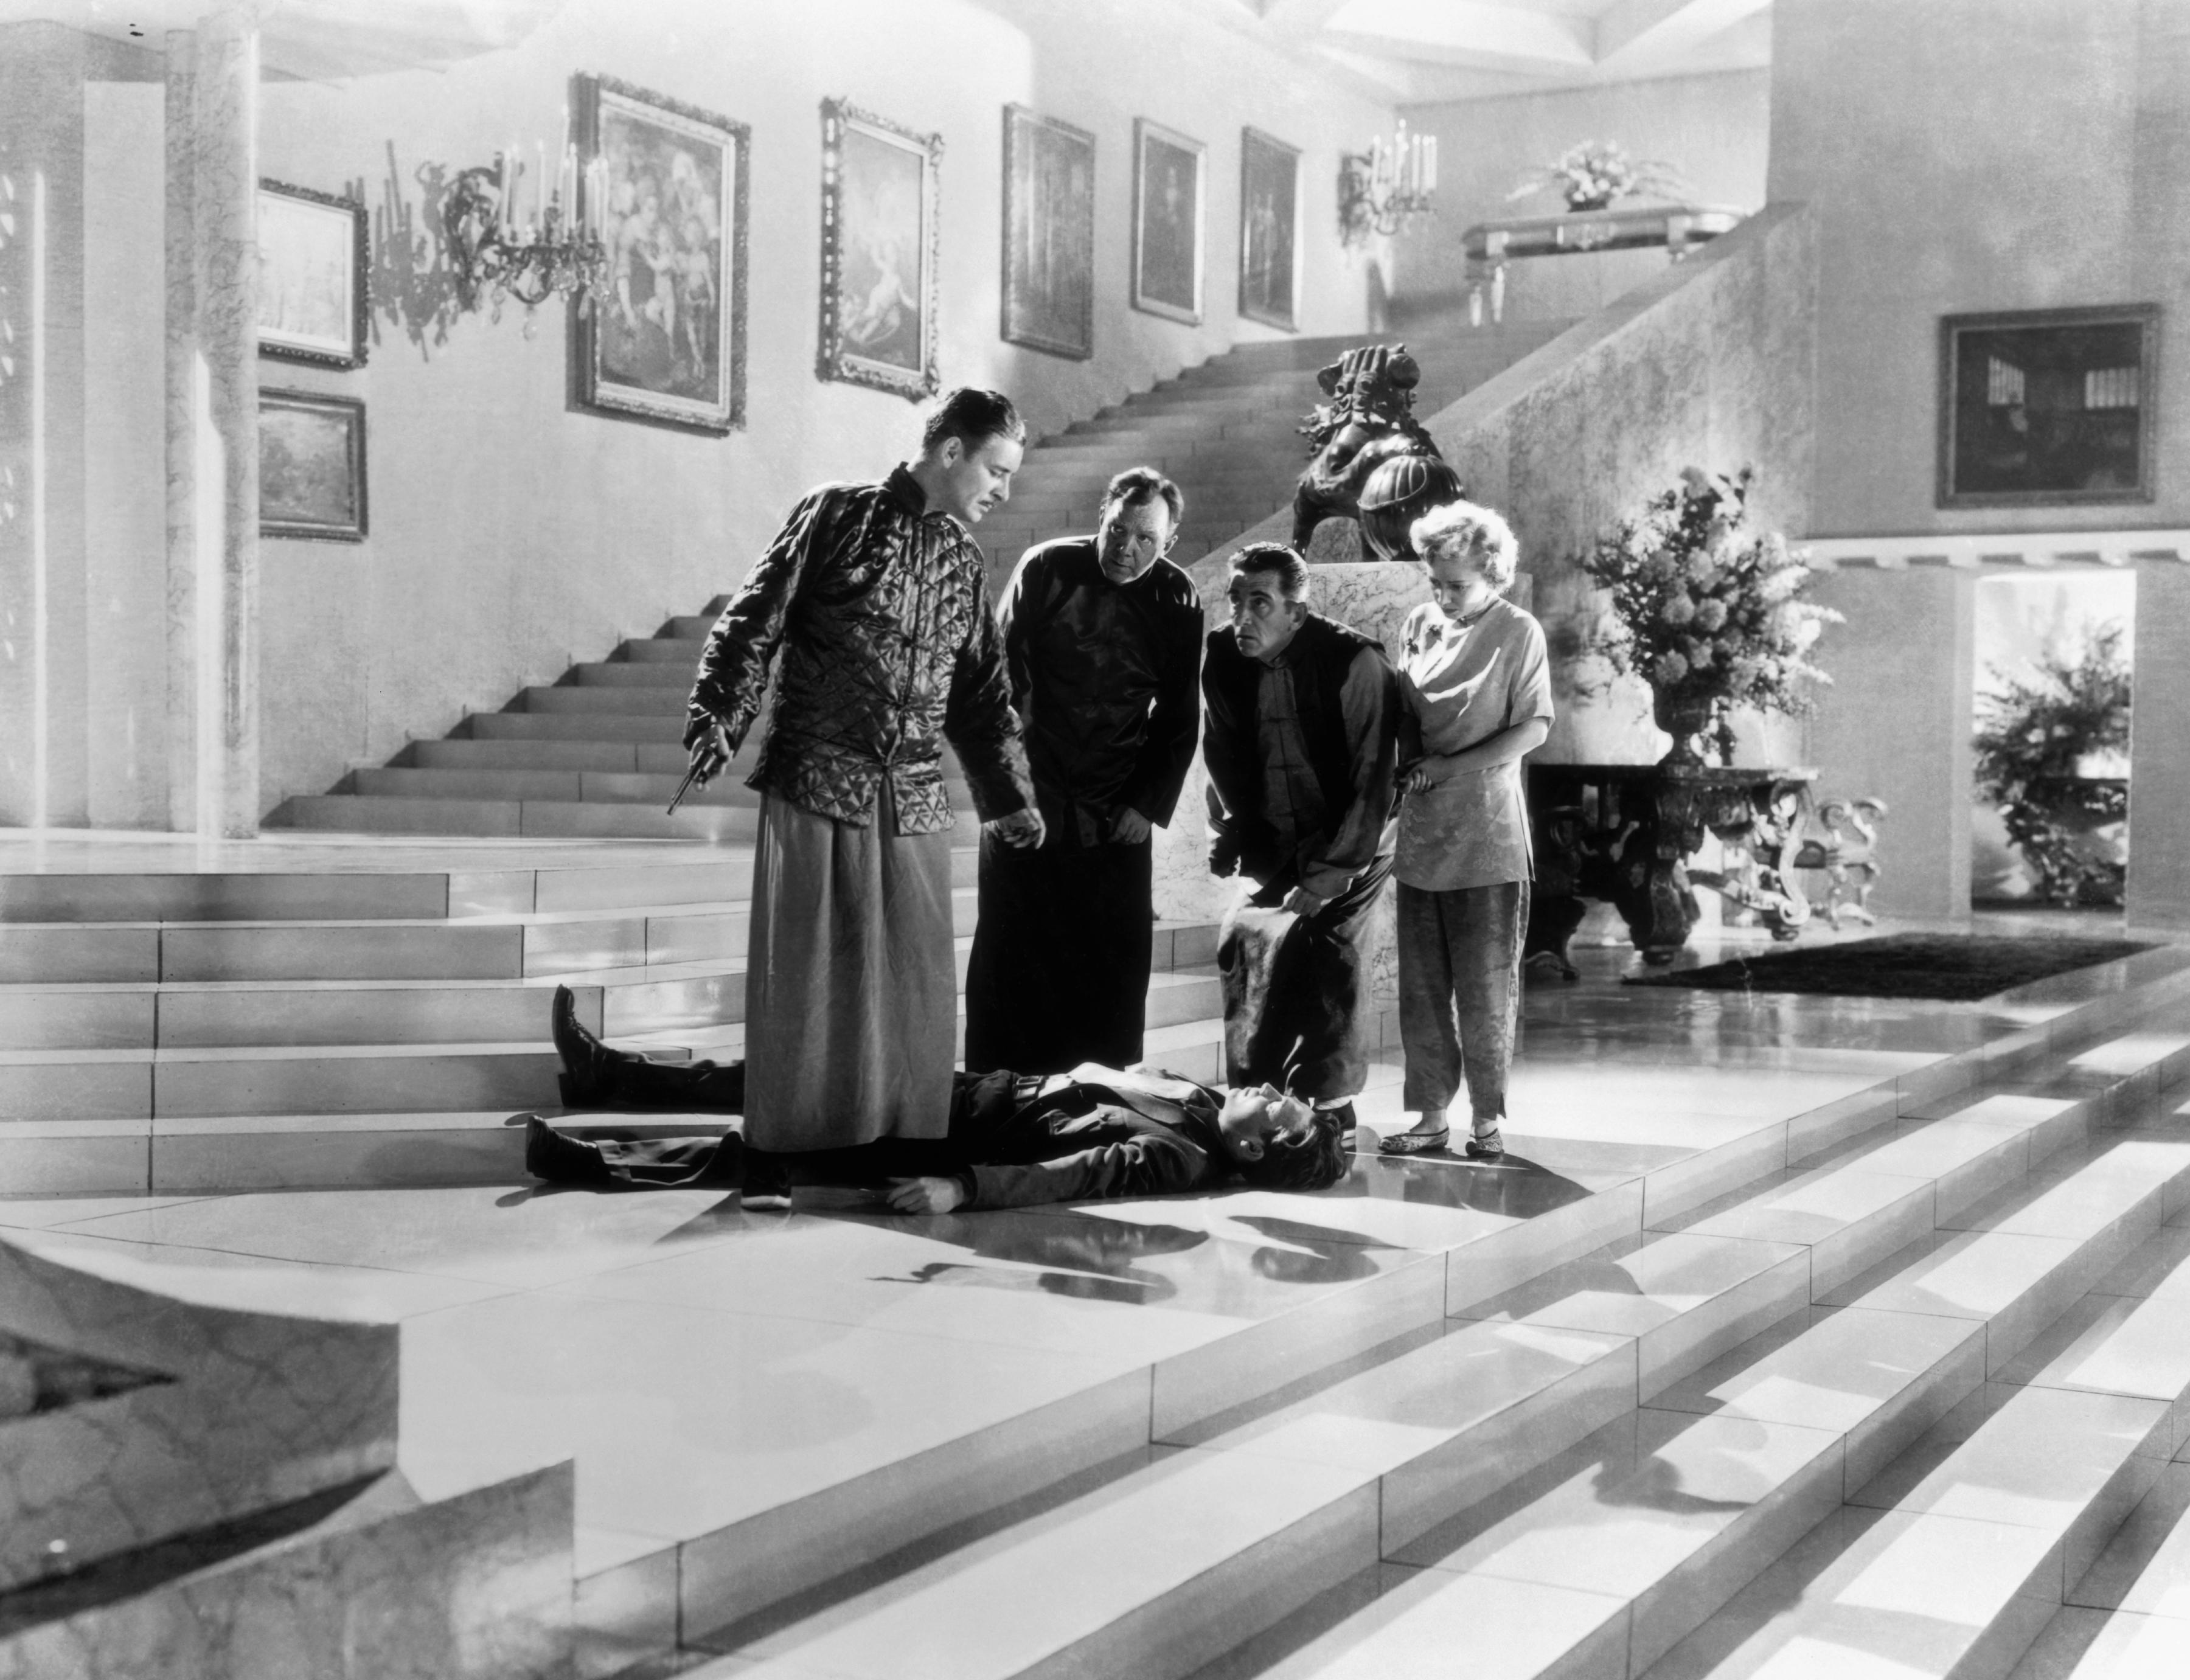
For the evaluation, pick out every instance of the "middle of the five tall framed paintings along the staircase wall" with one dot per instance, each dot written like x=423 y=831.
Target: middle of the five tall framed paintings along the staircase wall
x=1048 y=235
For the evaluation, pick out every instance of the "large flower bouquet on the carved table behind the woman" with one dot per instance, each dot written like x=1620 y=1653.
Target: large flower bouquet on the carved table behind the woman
x=1705 y=610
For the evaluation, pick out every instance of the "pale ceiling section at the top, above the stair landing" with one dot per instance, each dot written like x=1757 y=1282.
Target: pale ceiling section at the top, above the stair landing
x=1427 y=51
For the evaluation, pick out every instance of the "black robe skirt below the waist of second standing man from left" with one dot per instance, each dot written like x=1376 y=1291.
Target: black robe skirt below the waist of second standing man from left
x=1059 y=969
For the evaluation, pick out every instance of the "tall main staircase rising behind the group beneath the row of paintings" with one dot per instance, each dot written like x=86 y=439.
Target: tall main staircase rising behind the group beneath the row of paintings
x=597 y=755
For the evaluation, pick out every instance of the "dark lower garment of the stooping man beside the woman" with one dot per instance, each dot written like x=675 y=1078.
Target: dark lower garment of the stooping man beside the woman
x=1298 y=1004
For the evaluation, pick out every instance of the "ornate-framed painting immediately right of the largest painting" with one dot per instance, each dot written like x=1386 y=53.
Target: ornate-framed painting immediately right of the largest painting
x=879 y=253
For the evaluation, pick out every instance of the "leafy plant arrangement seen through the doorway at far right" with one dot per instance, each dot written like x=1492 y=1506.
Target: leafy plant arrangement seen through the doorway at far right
x=2033 y=752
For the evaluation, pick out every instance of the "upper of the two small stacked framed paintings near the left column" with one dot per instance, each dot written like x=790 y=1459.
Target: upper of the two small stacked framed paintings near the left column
x=312 y=277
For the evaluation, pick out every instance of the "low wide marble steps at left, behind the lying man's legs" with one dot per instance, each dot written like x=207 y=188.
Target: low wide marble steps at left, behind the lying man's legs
x=325 y=1026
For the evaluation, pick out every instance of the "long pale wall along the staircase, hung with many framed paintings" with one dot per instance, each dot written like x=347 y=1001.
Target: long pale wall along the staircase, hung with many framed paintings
x=514 y=533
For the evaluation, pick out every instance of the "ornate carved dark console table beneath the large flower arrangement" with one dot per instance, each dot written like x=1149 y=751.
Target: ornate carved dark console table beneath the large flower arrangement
x=1624 y=833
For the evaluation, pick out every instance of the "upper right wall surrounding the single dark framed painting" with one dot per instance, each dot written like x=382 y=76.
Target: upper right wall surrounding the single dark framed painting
x=1974 y=157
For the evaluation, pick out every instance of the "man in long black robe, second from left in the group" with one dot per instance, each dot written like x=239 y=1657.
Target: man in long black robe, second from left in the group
x=1103 y=643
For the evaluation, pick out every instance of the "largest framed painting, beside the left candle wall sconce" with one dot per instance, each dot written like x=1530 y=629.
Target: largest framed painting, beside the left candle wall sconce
x=669 y=341
